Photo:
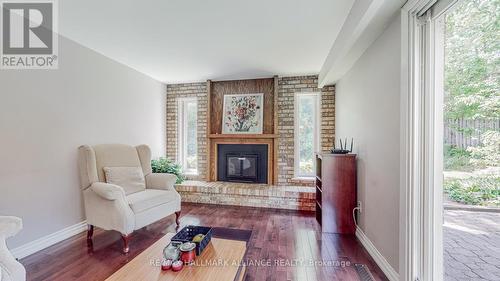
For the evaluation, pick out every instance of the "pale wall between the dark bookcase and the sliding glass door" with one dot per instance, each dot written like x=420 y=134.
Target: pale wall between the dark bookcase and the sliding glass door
x=367 y=108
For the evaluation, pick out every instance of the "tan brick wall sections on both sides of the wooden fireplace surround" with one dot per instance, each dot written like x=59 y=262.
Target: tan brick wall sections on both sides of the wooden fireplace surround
x=287 y=87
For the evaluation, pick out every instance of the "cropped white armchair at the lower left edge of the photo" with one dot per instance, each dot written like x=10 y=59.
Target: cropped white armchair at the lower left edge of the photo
x=10 y=268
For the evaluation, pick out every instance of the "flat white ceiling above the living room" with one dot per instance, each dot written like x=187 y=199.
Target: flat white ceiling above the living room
x=186 y=40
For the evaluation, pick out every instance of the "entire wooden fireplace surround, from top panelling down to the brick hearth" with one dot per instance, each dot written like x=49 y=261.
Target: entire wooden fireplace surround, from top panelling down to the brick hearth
x=216 y=91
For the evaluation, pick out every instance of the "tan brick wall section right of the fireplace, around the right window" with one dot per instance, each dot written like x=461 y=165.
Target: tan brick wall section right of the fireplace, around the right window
x=288 y=86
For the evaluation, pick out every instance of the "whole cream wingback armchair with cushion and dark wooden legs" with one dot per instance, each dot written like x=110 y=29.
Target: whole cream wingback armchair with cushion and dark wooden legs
x=117 y=201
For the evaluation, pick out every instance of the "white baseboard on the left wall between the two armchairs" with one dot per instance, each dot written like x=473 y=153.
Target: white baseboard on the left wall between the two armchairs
x=48 y=240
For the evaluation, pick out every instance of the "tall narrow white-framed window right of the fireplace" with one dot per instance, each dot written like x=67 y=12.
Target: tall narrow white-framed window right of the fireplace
x=307 y=132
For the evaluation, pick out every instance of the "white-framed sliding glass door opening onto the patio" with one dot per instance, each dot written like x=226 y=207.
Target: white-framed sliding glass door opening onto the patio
x=450 y=72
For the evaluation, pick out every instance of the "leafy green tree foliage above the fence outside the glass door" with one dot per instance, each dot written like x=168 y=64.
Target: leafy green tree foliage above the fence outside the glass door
x=472 y=65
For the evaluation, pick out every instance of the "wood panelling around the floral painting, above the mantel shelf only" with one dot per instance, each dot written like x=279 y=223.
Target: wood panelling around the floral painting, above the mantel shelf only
x=220 y=88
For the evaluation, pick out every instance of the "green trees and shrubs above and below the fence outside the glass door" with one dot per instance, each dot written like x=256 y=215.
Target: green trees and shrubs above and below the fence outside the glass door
x=472 y=91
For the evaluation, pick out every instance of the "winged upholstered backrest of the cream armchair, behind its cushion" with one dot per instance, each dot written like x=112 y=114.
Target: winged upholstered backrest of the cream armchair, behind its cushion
x=92 y=160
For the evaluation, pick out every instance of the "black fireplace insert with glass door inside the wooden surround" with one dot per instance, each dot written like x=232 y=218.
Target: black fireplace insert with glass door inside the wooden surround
x=242 y=163
